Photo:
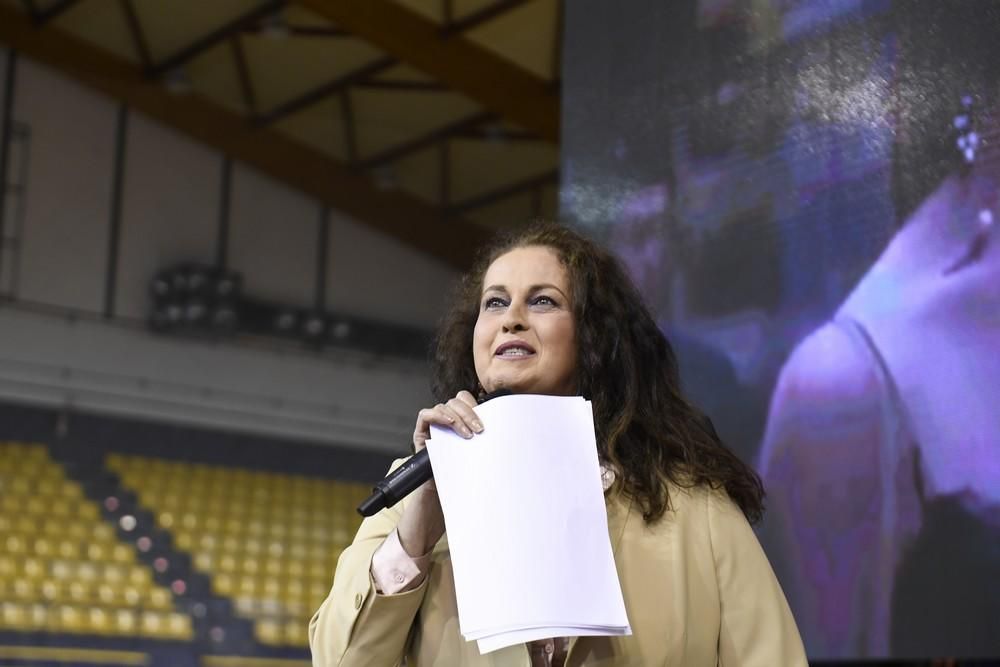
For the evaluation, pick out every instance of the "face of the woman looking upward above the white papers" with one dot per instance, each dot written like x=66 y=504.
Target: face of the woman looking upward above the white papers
x=525 y=339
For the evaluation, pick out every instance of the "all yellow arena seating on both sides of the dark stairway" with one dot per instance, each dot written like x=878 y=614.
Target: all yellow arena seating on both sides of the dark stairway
x=266 y=541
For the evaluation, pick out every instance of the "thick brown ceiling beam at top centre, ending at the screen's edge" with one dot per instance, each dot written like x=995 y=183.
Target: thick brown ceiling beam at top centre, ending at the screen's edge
x=492 y=81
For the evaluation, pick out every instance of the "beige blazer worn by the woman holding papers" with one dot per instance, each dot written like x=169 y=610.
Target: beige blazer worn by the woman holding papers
x=698 y=590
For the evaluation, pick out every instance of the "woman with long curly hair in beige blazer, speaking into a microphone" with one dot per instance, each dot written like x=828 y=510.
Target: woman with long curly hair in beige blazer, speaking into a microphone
x=549 y=312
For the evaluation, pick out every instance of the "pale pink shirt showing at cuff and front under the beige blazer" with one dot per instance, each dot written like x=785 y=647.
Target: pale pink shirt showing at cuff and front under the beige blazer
x=396 y=571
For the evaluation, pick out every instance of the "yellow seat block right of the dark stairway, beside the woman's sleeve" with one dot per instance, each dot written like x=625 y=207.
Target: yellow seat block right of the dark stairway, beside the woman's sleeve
x=269 y=541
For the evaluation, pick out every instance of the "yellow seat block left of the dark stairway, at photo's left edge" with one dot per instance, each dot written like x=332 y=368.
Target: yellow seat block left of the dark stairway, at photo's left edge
x=62 y=568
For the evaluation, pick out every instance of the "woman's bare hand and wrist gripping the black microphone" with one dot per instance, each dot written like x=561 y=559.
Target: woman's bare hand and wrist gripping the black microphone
x=422 y=523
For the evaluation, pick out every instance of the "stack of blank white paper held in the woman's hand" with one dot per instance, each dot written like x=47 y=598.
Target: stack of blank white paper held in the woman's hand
x=527 y=525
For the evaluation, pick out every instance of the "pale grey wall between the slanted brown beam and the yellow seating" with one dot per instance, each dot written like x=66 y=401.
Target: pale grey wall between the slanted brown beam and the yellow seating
x=170 y=211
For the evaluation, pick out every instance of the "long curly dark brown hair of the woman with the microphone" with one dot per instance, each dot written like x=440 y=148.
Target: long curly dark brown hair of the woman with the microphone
x=645 y=427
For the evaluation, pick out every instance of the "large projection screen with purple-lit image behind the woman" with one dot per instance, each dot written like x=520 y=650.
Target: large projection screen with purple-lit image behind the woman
x=806 y=194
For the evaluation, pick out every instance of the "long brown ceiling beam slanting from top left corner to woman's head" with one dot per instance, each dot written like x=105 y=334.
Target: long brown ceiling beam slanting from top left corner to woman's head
x=395 y=213
